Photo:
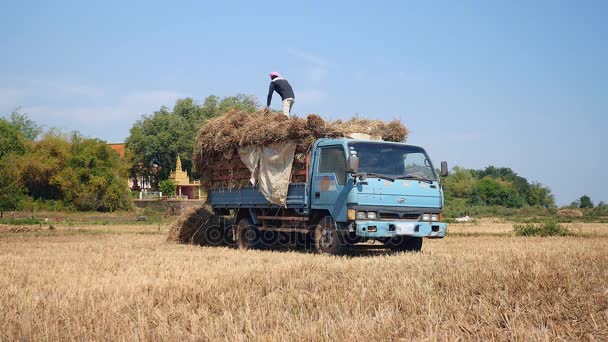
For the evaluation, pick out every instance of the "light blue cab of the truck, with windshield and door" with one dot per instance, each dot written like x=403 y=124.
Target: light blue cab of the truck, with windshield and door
x=378 y=190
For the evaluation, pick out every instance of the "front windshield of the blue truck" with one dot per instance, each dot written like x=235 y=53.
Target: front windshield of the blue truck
x=395 y=161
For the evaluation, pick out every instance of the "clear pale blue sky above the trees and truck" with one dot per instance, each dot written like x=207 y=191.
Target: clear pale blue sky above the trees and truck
x=521 y=84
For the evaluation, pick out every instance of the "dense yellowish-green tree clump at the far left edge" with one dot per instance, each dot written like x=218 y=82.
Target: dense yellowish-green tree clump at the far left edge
x=54 y=170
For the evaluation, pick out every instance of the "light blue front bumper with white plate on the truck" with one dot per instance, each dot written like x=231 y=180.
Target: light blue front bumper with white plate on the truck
x=383 y=229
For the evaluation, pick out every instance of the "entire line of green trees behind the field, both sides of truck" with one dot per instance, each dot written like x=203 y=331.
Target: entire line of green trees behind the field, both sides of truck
x=68 y=171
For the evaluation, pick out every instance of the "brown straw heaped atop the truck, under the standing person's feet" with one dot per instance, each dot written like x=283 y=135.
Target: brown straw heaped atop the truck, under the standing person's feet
x=225 y=134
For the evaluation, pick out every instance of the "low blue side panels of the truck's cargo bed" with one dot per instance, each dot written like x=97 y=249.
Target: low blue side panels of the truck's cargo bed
x=251 y=197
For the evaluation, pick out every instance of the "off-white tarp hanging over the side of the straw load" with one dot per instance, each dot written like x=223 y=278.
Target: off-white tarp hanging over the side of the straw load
x=270 y=167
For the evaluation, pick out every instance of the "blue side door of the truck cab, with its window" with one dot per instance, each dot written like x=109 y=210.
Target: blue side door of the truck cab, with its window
x=328 y=181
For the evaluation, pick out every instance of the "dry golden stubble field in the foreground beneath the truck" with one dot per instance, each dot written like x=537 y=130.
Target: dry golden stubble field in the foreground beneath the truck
x=138 y=287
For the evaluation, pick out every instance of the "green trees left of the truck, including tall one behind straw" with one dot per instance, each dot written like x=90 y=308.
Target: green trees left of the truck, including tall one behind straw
x=49 y=169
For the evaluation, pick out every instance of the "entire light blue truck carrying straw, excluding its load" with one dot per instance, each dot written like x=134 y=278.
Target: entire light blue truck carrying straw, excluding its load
x=354 y=191
